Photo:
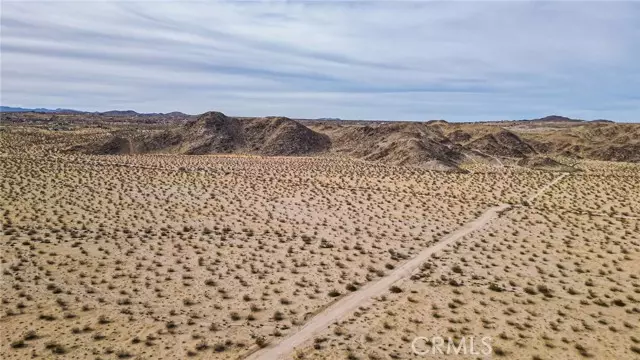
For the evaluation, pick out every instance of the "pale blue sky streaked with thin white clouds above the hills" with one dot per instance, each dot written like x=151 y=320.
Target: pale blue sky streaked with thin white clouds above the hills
x=388 y=60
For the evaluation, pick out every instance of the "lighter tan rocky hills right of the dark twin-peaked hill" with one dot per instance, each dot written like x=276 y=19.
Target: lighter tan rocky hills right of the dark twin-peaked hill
x=438 y=144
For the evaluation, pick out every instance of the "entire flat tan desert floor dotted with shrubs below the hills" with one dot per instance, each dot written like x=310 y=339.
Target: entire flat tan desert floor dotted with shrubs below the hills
x=220 y=257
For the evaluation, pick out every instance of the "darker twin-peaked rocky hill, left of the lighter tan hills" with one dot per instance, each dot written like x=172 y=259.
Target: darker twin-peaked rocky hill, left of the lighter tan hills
x=215 y=133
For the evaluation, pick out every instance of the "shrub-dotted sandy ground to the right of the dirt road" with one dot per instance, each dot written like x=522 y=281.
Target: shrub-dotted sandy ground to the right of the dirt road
x=542 y=281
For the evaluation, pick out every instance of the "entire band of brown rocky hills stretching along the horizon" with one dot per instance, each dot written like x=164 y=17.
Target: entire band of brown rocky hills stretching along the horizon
x=434 y=144
